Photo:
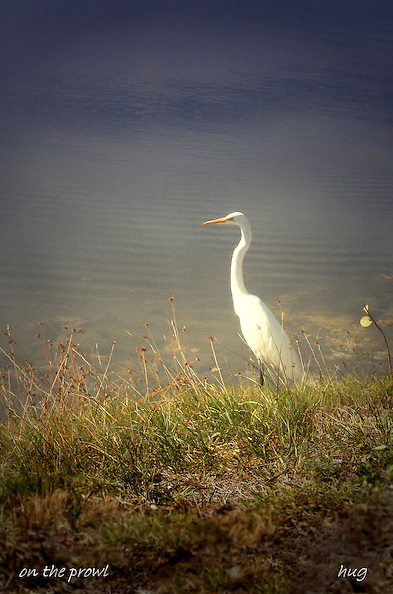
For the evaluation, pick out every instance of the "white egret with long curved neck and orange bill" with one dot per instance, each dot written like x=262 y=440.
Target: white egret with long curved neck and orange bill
x=263 y=333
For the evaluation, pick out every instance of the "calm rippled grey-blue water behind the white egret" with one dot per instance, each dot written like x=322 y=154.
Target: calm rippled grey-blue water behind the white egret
x=119 y=143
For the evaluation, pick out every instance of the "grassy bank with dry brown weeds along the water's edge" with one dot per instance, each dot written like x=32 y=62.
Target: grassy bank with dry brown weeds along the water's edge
x=159 y=481
